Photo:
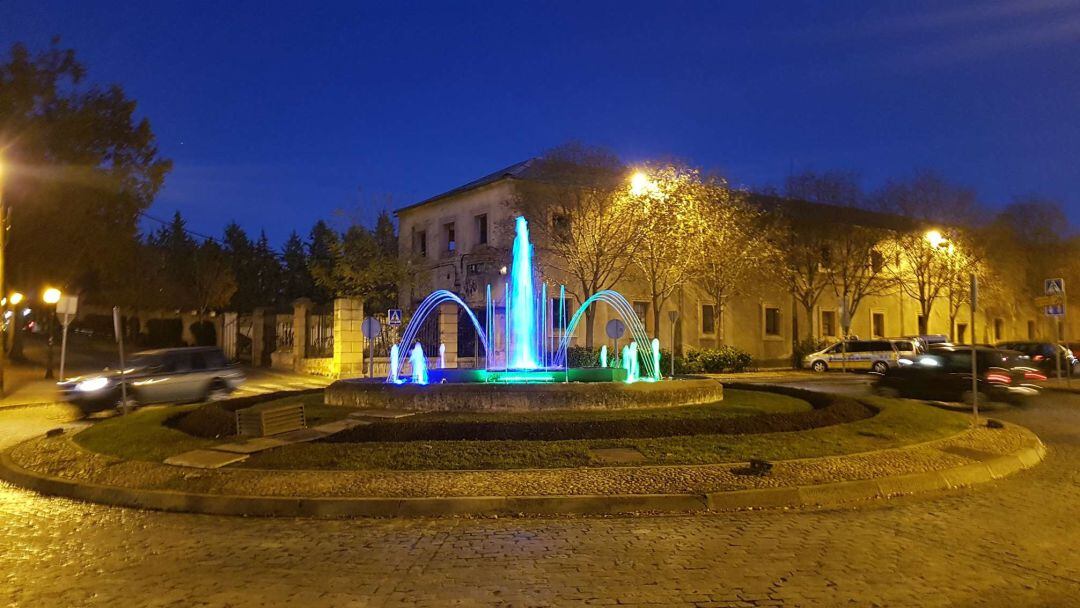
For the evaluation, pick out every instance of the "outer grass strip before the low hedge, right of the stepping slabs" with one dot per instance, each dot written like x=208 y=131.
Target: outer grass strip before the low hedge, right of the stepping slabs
x=900 y=423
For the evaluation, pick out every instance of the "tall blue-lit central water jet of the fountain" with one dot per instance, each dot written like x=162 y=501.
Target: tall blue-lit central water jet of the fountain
x=523 y=330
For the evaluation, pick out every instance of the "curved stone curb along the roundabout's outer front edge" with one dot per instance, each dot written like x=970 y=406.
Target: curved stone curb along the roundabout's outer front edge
x=825 y=495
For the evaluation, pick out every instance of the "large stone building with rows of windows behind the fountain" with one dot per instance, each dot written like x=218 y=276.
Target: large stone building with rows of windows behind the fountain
x=461 y=240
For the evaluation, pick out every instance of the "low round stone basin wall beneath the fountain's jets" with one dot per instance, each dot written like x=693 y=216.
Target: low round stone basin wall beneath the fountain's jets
x=511 y=397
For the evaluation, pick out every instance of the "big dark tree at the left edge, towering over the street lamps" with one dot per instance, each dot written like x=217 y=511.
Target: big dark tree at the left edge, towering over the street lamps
x=79 y=170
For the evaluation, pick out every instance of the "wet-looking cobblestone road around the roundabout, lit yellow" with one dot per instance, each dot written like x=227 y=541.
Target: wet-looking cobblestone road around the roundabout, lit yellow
x=1008 y=544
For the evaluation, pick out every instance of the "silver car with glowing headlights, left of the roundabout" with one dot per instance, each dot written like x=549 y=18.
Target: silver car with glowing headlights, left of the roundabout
x=158 y=376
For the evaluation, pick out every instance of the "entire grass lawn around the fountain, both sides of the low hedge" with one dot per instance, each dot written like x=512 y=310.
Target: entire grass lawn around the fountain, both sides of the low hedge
x=144 y=437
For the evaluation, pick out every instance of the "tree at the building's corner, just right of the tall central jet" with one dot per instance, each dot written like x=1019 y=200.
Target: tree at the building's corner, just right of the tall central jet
x=582 y=219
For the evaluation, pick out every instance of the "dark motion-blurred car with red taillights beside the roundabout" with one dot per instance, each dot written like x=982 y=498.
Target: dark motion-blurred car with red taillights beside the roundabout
x=944 y=374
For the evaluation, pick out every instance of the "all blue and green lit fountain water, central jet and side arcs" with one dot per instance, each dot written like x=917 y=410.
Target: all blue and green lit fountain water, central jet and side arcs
x=534 y=347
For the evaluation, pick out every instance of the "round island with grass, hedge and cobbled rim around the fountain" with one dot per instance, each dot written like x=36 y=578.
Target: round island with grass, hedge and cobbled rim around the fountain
x=758 y=449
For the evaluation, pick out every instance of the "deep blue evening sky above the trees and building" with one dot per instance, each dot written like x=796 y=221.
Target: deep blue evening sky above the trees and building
x=278 y=114
